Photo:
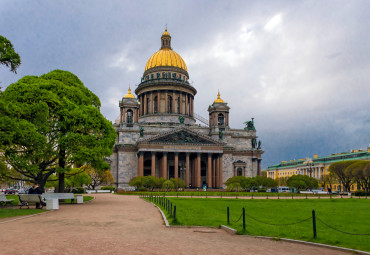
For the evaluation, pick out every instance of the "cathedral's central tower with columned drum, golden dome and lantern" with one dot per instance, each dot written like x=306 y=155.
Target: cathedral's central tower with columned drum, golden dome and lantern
x=164 y=93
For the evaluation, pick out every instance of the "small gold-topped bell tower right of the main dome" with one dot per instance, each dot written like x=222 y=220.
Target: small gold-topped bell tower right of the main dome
x=218 y=114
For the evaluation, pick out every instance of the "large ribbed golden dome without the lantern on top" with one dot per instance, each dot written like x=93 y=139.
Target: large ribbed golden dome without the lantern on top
x=166 y=57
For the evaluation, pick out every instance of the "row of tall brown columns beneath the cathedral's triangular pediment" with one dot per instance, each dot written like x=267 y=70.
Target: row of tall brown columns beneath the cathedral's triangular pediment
x=185 y=165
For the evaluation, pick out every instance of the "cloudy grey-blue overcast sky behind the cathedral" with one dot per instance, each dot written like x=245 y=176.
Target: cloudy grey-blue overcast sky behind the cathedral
x=300 y=68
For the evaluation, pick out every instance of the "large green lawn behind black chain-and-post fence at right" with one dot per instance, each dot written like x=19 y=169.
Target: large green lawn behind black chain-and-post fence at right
x=349 y=215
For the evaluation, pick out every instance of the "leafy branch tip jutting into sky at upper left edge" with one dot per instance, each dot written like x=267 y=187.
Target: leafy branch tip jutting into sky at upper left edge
x=8 y=56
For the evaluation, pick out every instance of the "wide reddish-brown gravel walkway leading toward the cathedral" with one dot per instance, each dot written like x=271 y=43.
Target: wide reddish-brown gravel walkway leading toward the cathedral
x=113 y=224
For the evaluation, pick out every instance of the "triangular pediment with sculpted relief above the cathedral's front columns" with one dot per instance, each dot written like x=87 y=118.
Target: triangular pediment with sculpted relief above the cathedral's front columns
x=181 y=136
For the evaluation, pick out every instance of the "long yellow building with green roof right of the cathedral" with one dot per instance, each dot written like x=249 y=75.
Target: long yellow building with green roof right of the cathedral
x=316 y=167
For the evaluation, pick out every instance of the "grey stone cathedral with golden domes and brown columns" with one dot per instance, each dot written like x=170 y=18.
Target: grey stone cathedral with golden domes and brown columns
x=159 y=134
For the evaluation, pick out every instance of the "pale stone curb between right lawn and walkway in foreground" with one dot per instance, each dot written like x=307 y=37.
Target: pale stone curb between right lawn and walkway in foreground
x=233 y=232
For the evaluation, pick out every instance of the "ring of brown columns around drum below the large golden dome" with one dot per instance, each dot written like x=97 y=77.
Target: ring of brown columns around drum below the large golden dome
x=166 y=101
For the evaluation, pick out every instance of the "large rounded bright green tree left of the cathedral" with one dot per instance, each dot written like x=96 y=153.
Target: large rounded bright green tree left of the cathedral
x=50 y=123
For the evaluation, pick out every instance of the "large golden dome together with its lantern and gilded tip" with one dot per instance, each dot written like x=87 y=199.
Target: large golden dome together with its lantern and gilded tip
x=166 y=56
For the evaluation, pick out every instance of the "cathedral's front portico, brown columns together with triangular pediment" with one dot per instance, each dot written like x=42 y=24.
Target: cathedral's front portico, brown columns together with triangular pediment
x=182 y=154
